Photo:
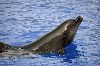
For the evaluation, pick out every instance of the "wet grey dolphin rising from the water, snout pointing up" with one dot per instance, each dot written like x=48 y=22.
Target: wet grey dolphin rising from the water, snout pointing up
x=54 y=41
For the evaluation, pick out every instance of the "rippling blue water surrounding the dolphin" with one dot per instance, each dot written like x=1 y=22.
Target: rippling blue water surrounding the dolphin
x=24 y=21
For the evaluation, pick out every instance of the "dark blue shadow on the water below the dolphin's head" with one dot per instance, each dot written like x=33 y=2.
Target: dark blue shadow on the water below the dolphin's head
x=70 y=53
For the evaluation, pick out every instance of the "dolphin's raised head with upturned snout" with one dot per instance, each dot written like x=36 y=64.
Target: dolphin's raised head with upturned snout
x=71 y=27
